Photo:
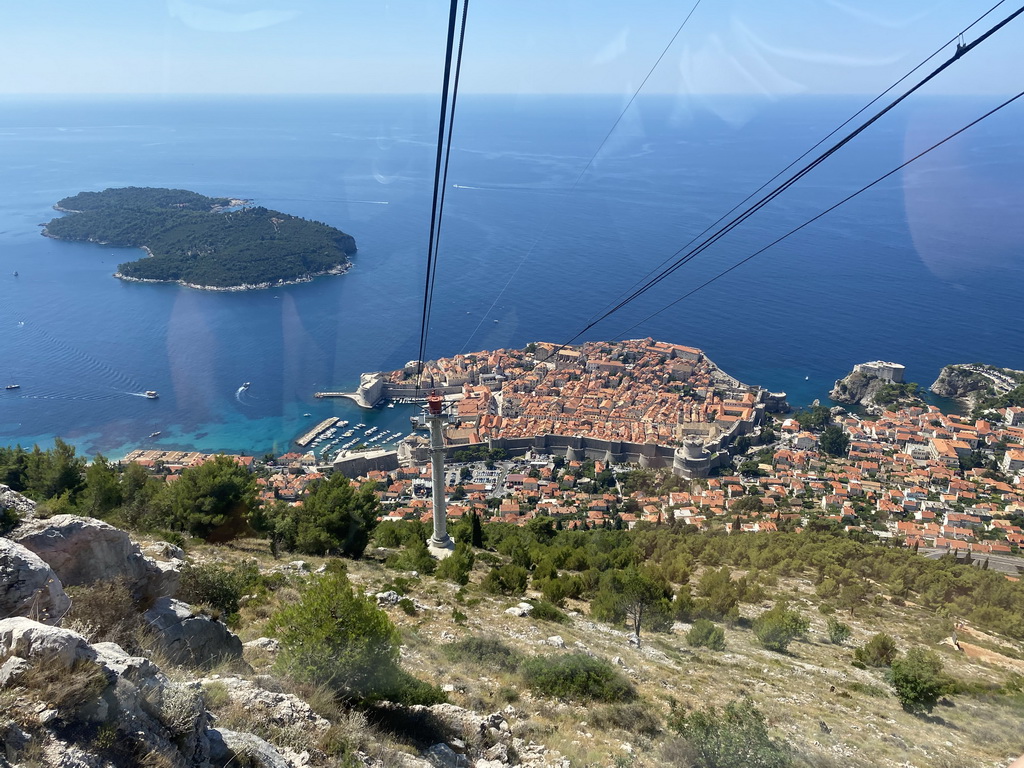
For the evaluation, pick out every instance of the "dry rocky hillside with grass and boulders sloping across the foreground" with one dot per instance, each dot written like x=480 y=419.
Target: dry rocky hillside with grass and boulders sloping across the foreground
x=102 y=665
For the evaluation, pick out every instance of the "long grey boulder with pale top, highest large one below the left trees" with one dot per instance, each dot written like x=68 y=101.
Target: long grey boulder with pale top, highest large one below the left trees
x=82 y=550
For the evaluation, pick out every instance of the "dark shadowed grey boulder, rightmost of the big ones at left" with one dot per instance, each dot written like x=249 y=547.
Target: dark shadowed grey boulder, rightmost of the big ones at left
x=191 y=638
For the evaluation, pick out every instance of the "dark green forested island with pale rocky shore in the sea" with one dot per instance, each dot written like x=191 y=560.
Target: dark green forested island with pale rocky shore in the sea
x=201 y=242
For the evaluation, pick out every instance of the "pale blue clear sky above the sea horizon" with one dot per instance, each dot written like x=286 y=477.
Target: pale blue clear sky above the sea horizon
x=514 y=47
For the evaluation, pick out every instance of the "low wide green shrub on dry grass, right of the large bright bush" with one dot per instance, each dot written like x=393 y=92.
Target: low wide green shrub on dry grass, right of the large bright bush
x=577 y=676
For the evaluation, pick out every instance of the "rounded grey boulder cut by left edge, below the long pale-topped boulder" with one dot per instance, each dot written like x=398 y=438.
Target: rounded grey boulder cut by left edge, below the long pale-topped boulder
x=28 y=586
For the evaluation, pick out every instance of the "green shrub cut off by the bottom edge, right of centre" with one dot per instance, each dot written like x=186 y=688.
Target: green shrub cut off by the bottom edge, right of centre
x=736 y=737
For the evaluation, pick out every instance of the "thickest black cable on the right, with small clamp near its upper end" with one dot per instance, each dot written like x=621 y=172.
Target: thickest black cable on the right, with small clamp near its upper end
x=962 y=51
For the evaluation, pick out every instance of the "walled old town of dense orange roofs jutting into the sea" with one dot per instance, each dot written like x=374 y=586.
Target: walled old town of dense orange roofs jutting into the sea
x=641 y=401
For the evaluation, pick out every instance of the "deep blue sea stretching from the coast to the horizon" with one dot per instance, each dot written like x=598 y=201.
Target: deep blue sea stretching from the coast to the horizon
x=923 y=270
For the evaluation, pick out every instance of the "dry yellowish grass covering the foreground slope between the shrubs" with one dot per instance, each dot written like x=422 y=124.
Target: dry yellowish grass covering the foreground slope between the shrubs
x=813 y=687
